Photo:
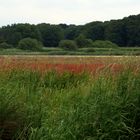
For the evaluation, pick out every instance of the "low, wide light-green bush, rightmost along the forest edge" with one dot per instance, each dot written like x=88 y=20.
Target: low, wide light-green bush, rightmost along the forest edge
x=104 y=44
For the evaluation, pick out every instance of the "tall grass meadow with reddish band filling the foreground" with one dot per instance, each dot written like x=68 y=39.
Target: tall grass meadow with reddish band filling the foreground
x=69 y=98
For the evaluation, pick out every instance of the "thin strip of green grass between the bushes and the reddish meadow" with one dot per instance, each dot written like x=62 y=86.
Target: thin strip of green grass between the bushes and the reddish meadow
x=80 y=51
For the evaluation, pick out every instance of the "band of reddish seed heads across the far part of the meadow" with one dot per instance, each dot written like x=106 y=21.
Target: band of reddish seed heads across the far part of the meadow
x=61 y=67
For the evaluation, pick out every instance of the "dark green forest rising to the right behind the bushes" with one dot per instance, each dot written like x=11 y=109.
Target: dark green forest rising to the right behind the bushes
x=123 y=32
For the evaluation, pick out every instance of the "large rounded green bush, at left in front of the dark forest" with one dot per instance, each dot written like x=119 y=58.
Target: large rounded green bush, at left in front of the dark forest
x=29 y=44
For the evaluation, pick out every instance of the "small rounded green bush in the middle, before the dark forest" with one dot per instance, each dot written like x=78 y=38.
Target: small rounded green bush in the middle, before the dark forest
x=68 y=45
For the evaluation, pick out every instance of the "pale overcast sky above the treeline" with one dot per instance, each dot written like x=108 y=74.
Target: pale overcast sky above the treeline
x=65 y=11
